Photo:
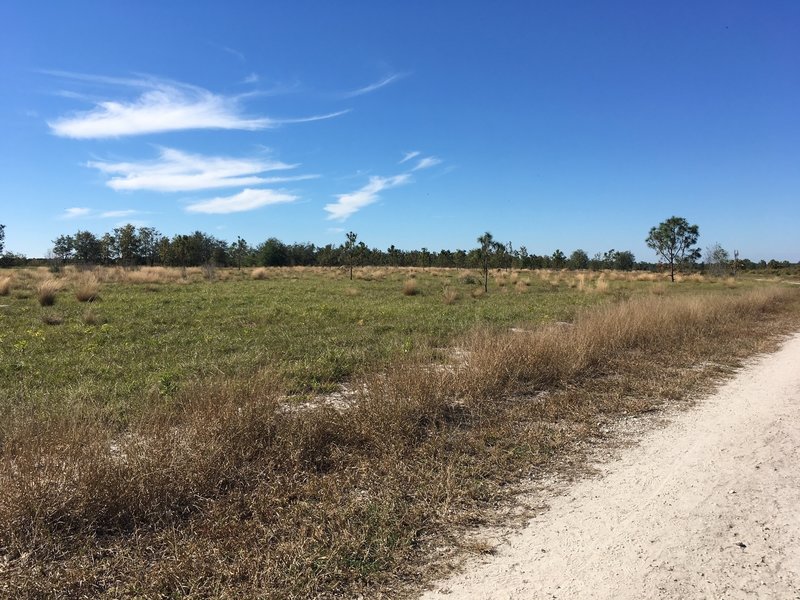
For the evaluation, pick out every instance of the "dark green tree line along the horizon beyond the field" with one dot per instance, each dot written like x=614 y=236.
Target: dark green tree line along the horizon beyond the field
x=132 y=246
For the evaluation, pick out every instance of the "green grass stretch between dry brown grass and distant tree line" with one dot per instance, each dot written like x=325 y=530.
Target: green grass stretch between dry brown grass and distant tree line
x=313 y=330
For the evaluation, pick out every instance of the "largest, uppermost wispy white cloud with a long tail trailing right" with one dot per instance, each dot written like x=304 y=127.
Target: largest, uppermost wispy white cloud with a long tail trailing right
x=162 y=106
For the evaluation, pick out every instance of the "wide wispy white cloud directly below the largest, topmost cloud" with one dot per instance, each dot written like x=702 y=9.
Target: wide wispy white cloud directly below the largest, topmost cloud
x=177 y=171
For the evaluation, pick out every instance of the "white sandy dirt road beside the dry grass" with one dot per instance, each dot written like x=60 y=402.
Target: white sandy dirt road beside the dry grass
x=706 y=507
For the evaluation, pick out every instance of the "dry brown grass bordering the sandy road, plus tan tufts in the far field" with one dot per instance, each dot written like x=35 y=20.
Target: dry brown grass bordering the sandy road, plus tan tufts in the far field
x=224 y=492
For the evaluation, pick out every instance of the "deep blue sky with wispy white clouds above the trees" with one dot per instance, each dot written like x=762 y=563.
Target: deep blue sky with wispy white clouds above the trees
x=556 y=124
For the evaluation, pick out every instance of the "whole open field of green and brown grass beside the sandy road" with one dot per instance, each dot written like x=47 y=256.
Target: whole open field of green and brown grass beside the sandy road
x=157 y=437
